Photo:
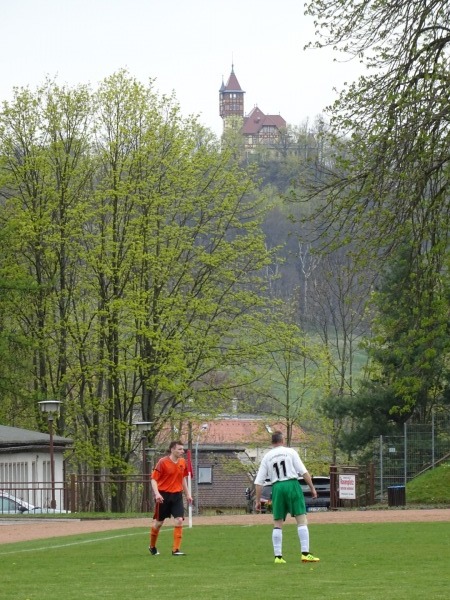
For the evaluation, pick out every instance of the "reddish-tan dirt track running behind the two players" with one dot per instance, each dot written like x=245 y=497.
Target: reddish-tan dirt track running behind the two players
x=30 y=529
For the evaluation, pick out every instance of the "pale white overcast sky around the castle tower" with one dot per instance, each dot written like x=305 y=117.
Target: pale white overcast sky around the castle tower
x=186 y=45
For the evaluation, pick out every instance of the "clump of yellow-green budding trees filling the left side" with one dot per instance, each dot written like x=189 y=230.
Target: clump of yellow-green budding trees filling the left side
x=133 y=253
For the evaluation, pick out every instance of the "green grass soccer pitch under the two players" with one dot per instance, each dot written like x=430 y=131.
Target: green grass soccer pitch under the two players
x=402 y=561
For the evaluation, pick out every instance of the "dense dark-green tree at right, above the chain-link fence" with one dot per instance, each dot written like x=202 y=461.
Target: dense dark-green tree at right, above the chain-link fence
x=408 y=370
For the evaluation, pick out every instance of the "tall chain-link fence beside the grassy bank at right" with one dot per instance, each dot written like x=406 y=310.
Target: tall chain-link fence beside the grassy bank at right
x=400 y=458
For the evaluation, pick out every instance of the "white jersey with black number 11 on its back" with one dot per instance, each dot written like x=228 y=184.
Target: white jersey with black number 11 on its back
x=280 y=464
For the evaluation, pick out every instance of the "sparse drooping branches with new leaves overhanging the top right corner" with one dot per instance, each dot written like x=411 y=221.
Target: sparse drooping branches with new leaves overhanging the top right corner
x=394 y=122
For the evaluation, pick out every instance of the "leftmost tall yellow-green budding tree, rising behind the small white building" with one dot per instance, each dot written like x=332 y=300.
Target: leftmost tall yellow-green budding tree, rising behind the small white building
x=43 y=145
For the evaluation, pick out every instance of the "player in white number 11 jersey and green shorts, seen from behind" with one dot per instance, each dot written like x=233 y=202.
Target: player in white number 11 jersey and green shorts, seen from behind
x=283 y=467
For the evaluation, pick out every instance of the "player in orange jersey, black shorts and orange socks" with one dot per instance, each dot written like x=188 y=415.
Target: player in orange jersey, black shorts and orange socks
x=169 y=480
